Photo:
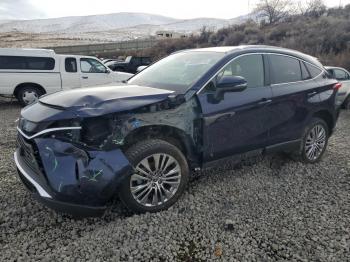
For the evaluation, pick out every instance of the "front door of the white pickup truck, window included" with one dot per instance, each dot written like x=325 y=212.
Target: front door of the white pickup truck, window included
x=94 y=73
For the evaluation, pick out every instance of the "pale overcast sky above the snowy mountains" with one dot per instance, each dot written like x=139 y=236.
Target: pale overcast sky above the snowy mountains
x=182 y=9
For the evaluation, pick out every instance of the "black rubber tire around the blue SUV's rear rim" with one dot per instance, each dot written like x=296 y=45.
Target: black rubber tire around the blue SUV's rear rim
x=301 y=155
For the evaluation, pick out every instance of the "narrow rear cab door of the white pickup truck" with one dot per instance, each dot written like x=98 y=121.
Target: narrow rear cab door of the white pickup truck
x=71 y=78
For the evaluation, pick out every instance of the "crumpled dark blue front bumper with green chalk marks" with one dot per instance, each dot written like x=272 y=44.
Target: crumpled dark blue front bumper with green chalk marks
x=68 y=178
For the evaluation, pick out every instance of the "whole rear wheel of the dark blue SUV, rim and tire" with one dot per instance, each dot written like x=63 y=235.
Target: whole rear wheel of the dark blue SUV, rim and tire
x=314 y=141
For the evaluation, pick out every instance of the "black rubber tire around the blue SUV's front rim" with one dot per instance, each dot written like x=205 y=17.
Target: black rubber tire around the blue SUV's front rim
x=137 y=153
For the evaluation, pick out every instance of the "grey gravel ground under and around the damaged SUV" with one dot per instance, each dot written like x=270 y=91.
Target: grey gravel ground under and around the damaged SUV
x=276 y=209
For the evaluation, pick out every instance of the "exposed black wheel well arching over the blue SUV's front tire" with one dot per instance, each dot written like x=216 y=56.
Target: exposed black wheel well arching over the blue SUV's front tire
x=173 y=135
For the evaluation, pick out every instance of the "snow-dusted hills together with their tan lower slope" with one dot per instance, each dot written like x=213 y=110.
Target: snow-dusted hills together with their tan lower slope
x=100 y=28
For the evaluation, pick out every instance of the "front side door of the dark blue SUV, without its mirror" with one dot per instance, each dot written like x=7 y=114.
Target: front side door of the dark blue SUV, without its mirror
x=235 y=123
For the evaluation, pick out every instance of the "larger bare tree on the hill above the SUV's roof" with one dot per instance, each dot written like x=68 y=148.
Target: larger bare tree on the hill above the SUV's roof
x=273 y=10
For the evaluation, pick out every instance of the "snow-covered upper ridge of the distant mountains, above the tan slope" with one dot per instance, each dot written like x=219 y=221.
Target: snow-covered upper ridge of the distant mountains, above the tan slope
x=108 y=22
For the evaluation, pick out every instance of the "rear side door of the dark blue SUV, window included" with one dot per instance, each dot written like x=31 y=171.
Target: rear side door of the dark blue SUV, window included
x=295 y=92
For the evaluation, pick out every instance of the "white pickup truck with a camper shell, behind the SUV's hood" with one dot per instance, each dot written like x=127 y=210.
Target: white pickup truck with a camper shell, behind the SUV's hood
x=30 y=73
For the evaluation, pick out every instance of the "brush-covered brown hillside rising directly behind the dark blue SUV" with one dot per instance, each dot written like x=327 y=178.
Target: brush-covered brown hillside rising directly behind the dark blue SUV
x=326 y=36
